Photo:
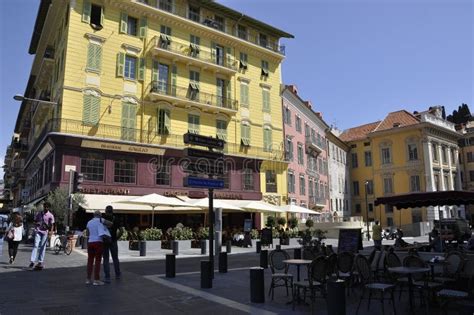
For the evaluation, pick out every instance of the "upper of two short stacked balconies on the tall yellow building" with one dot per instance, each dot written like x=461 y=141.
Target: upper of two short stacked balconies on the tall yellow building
x=191 y=54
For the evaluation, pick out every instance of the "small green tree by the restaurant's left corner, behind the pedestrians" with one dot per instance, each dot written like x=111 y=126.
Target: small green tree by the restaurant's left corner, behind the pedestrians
x=59 y=200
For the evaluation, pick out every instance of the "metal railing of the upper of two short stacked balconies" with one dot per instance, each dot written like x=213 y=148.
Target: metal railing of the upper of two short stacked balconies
x=196 y=53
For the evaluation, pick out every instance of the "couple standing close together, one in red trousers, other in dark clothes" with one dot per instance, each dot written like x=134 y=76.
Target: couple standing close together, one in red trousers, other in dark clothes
x=102 y=234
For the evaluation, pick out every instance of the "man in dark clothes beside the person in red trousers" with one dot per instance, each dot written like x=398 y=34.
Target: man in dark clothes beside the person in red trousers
x=111 y=247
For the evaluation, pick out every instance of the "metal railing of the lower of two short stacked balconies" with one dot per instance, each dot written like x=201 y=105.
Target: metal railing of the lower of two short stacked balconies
x=193 y=94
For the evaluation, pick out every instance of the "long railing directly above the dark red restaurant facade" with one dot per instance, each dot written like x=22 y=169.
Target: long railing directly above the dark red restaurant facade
x=147 y=136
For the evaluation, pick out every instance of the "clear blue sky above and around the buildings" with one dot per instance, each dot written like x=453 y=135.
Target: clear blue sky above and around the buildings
x=355 y=60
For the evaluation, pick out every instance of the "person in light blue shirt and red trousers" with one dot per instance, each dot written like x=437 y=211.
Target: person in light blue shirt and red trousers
x=95 y=231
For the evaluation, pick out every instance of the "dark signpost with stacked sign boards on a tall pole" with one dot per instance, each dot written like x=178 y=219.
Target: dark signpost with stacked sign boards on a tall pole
x=209 y=160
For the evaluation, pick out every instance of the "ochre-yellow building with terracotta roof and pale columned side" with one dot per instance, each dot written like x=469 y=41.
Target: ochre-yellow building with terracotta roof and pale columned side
x=402 y=153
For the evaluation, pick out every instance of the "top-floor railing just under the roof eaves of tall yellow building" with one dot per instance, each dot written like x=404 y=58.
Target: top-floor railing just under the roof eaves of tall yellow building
x=229 y=27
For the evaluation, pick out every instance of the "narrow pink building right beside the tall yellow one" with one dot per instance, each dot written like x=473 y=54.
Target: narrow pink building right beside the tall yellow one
x=305 y=146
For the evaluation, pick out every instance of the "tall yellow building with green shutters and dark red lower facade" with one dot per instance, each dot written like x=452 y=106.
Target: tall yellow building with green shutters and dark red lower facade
x=137 y=75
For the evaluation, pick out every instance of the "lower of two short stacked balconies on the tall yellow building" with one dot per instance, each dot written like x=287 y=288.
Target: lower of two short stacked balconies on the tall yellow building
x=191 y=95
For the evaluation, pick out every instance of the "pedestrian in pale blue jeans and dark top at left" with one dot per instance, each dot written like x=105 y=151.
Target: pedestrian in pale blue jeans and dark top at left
x=44 y=221
